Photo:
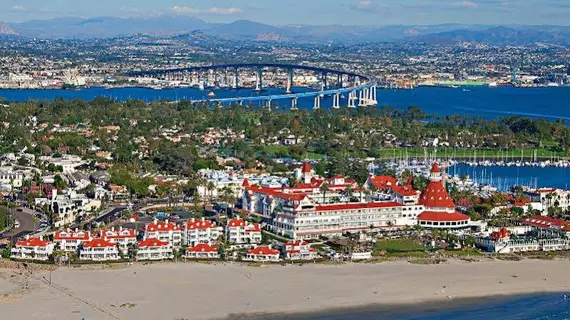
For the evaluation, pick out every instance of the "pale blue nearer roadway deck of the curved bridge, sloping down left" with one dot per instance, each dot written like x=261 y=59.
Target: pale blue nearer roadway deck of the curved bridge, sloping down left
x=290 y=96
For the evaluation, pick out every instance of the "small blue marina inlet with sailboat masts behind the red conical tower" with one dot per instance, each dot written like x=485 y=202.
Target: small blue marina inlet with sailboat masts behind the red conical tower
x=505 y=177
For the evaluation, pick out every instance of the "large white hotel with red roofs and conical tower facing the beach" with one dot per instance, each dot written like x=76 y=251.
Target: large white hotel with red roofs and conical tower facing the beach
x=306 y=212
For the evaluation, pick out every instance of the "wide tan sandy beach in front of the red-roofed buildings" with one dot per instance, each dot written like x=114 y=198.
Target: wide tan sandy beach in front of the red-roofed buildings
x=212 y=291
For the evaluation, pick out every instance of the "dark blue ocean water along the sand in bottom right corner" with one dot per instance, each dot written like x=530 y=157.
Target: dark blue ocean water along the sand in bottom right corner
x=533 y=307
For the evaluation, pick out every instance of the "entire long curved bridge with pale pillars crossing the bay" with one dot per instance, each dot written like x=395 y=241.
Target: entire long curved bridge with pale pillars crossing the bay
x=356 y=88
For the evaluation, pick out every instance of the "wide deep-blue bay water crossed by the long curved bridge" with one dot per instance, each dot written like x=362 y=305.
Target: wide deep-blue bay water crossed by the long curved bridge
x=547 y=103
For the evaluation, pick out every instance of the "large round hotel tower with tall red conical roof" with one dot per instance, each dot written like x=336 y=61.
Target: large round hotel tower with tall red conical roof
x=440 y=210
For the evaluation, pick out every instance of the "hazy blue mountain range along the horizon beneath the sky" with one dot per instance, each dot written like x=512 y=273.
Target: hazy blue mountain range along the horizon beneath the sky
x=164 y=25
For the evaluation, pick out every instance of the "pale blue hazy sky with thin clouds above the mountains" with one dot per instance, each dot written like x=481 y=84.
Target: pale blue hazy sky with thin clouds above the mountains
x=280 y=12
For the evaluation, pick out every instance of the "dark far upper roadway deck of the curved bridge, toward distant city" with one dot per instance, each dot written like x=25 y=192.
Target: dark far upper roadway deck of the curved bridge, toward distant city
x=247 y=66
